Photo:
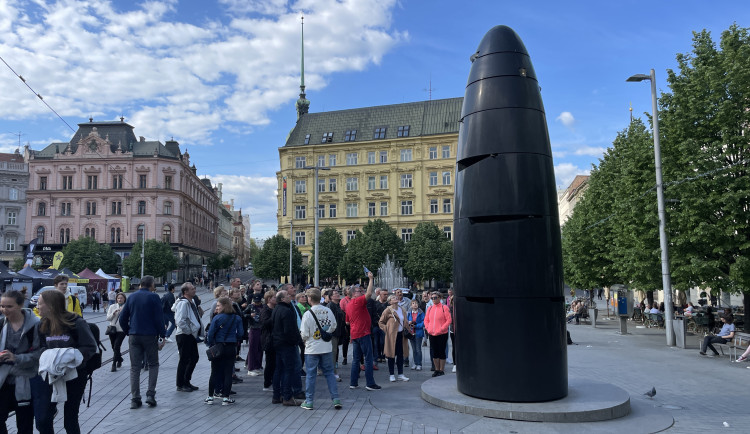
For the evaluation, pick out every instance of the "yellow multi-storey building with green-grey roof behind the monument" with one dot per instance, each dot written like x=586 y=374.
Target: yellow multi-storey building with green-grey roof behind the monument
x=394 y=162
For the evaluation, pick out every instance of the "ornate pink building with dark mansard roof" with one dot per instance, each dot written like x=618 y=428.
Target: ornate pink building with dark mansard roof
x=107 y=184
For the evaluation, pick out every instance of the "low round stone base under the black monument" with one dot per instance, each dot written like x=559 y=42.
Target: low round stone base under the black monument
x=587 y=401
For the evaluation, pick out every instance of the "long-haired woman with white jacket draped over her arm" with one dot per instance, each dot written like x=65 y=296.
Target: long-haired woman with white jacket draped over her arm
x=62 y=329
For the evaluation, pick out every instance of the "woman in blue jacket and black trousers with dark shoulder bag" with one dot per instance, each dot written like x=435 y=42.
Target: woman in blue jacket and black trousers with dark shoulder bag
x=225 y=329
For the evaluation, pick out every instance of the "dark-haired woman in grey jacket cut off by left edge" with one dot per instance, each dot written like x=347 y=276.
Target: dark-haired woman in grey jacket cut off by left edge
x=19 y=360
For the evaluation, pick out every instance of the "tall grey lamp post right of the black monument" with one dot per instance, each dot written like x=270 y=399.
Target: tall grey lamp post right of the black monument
x=665 y=276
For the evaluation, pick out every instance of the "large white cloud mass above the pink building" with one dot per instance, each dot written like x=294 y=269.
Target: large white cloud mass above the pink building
x=181 y=79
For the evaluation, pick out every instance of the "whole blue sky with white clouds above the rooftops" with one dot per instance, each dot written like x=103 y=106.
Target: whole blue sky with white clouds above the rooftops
x=221 y=77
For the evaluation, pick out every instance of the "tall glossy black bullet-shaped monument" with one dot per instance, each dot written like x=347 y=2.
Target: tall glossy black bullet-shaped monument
x=508 y=279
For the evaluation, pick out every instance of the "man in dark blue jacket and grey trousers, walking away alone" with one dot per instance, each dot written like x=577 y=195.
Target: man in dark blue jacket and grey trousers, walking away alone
x=142 y=320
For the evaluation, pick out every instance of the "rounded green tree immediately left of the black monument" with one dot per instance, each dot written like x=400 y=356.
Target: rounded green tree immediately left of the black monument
x=429 y=254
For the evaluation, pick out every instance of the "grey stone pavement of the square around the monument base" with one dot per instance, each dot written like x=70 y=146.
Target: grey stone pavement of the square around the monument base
x=700 y=393
